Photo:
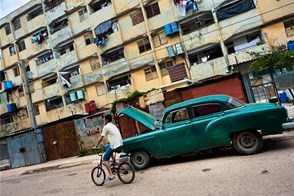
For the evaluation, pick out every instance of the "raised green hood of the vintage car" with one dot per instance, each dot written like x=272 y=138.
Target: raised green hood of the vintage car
x=140 y=116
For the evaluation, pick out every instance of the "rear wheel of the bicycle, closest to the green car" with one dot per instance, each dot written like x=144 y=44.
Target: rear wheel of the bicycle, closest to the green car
x=126 y=173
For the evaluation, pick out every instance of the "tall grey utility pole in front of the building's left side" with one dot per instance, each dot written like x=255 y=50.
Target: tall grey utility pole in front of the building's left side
x=25 y=81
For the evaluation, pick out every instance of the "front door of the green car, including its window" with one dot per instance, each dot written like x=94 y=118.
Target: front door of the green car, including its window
x=177 y=136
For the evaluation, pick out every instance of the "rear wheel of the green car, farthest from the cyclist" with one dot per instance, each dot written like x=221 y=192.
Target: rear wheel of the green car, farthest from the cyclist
x=247 y=142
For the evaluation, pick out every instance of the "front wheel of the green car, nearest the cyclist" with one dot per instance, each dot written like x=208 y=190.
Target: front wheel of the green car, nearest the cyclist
x=140 y=159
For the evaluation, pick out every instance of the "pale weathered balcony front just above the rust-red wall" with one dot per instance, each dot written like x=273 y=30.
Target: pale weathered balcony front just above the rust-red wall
x=208 y=69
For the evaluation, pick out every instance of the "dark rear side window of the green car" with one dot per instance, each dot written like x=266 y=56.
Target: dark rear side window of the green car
x=205 y=109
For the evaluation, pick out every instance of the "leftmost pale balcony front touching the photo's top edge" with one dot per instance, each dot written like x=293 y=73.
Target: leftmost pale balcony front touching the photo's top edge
x=54 y=11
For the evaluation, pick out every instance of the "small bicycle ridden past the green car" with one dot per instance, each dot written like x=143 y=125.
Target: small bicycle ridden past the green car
x=123 y=169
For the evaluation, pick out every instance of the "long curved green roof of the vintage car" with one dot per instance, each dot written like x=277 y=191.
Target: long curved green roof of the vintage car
x=205 y=99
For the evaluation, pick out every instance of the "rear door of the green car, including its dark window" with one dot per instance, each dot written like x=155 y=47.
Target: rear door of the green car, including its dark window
x=211 y=125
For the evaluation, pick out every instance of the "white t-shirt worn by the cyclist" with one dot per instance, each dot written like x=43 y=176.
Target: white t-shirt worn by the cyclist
x=113 y=135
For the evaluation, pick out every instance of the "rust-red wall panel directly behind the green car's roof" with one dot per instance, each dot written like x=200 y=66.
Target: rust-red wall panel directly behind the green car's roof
x=231 y=86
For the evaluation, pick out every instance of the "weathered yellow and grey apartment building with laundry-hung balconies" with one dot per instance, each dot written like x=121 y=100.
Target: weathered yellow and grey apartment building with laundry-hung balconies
x=81 y=55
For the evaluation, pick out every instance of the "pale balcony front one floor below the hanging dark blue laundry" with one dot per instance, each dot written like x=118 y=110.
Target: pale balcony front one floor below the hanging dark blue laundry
x=115 y=68
